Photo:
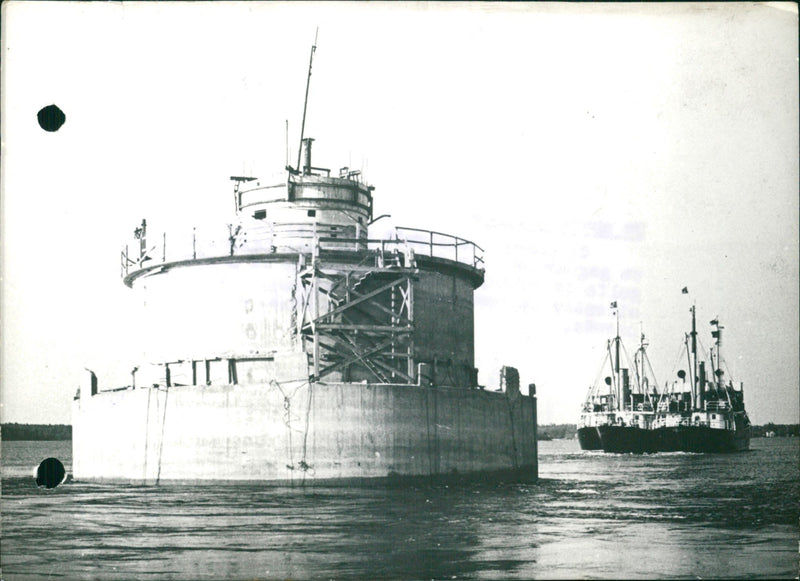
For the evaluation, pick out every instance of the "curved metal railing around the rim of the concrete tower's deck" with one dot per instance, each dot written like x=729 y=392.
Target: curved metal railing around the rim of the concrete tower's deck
x=150 y=249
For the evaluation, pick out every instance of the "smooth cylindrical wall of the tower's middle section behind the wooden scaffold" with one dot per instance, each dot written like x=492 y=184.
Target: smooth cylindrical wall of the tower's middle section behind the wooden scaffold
x=245 y=309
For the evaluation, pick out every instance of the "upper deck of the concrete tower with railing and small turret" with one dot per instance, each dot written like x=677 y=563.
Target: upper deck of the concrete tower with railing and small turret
x=311 y=213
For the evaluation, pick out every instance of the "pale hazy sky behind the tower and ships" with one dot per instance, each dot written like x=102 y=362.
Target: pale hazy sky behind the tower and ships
x=597 y=152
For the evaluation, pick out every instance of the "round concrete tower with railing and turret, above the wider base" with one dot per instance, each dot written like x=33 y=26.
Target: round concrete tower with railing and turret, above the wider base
x=297 y=289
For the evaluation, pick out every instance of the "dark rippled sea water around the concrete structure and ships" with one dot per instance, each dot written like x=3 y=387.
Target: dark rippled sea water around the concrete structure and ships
x=591 y=516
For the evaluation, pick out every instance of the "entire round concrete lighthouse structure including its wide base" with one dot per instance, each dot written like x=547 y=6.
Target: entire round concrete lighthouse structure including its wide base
x=294 y=348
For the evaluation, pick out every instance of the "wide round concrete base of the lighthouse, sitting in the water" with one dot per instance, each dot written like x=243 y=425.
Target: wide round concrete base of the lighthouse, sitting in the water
x=322 y=433
